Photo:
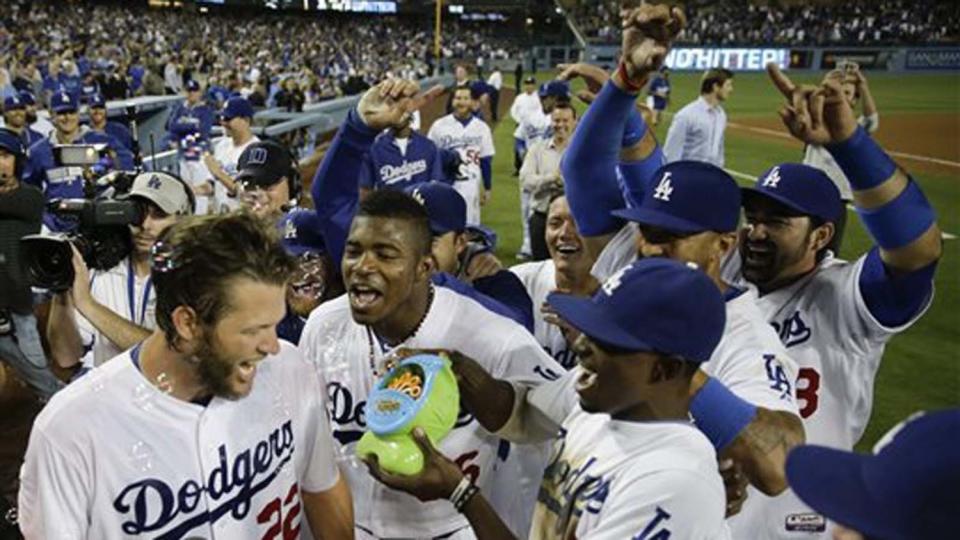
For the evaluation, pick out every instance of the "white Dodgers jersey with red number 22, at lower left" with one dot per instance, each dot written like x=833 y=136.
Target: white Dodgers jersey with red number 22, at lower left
x=113 y=456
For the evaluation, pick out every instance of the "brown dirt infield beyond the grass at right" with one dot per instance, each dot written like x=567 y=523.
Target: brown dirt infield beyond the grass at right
x=926 y=137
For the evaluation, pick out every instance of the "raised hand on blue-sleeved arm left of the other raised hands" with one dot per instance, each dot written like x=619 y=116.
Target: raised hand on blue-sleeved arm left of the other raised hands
x=391 y=103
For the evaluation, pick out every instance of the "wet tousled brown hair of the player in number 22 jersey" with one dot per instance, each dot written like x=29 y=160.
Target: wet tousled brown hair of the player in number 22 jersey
x=195 y=260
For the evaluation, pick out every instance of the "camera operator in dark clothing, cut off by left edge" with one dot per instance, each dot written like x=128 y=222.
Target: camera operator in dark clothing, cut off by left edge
x=21 y=208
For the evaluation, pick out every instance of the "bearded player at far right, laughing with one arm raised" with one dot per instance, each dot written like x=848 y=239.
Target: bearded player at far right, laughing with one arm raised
x=834 y=316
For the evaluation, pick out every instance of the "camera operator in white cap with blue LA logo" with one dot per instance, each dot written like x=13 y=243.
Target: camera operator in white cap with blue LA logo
x=116 y=306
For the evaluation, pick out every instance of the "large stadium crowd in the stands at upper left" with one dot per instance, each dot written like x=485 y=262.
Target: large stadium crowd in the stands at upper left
x=121 y=50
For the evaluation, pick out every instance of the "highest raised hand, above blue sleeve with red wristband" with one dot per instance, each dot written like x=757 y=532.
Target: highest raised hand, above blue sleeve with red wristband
x=648 y=31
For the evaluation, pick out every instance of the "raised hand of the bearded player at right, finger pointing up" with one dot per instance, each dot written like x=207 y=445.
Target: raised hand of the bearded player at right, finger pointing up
x=815 y=114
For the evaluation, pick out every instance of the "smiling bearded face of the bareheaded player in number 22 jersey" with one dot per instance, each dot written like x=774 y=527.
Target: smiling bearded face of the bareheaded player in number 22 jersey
x=228 y=352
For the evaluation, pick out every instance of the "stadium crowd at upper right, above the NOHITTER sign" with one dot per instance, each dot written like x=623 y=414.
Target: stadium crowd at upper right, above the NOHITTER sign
x=743 y=22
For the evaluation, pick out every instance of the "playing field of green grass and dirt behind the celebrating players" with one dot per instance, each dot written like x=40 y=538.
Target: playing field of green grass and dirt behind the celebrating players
x=920 y=116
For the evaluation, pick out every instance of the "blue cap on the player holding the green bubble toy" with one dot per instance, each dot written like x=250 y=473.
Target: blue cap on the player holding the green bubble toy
x=655 y=304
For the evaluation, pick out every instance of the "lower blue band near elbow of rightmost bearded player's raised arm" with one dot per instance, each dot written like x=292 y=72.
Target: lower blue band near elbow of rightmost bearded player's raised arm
x=900 y=221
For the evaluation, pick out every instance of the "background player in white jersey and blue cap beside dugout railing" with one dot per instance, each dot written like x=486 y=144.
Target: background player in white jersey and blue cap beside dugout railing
x=236 y=117
